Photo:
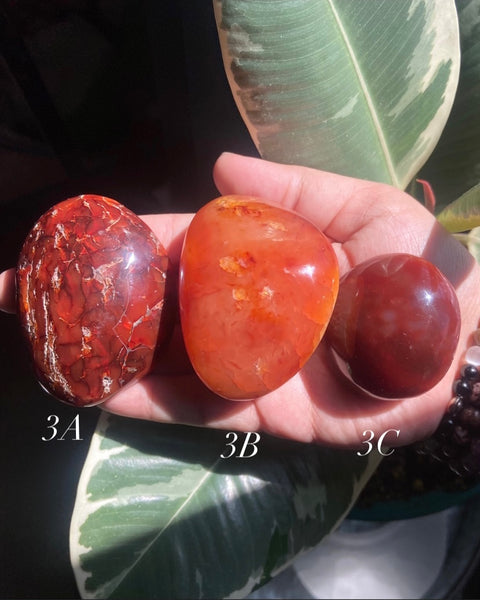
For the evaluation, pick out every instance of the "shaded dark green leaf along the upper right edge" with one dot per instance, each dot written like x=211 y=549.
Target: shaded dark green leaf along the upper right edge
x=454 y=166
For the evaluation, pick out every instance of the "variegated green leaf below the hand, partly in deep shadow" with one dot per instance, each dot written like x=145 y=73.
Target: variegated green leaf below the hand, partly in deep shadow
x=159 y=514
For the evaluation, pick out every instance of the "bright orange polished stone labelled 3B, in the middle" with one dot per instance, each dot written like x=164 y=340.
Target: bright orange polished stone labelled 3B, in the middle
x=257 y=288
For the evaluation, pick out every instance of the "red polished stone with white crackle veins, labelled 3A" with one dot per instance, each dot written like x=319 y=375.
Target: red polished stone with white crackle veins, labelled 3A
x=91 y=289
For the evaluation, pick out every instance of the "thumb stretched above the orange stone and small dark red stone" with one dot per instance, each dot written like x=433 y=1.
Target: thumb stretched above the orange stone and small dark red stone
x=366 y=218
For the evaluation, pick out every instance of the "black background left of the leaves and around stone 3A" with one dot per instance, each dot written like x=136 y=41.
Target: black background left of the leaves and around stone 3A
x=123 y=98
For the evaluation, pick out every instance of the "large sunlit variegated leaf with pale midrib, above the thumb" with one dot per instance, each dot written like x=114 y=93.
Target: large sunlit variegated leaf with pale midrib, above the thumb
x=362 y=88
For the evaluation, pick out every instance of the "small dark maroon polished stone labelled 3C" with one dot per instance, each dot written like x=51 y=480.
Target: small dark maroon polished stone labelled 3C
x=395 y=325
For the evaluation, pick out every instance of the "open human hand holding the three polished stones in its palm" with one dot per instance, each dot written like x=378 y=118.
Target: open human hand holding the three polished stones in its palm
x=363 y=220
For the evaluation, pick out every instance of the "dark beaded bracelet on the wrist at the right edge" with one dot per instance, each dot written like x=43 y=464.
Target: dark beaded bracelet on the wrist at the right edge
x=457 y=439
